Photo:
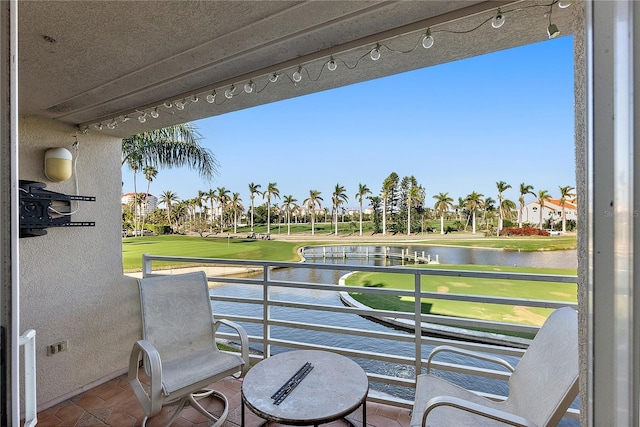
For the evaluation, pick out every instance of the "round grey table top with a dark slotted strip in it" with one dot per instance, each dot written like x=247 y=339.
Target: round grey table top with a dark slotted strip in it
x=335 y=387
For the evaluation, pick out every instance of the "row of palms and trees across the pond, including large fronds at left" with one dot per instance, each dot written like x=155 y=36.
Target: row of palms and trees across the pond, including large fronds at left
x=400 y=206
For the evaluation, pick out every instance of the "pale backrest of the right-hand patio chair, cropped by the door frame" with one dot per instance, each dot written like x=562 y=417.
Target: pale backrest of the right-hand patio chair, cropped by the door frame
x=545 y=381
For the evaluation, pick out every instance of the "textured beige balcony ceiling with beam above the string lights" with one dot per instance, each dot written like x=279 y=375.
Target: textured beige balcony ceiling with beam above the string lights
x=108 y=62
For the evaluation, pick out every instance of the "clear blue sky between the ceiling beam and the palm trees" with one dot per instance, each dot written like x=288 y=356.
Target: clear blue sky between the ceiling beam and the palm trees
x=457 y=127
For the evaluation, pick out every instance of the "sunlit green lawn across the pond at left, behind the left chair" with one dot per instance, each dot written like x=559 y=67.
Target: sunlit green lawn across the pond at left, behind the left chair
x=204 y=247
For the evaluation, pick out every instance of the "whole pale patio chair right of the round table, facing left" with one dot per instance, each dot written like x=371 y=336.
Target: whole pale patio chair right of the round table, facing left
x=541 y=387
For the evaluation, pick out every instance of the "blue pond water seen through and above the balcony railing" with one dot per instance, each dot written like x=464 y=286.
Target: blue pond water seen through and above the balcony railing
x=365 y=344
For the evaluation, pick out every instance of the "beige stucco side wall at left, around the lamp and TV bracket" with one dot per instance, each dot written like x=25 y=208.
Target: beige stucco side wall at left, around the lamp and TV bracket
x=71 y=282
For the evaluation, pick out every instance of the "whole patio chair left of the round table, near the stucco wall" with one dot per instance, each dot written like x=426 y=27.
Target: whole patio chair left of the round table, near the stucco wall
x=179 y=349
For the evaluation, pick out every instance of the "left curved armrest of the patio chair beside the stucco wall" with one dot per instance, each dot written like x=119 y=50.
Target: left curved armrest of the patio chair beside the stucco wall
x=151 y=402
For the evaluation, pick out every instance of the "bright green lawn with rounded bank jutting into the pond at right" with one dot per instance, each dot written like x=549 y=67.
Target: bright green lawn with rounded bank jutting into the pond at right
x=552 y=291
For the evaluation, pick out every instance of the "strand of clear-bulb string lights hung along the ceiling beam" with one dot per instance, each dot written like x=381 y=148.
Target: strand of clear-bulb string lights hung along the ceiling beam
x=426 y=40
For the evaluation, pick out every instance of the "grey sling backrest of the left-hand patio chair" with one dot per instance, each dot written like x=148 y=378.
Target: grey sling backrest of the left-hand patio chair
x=176 y=314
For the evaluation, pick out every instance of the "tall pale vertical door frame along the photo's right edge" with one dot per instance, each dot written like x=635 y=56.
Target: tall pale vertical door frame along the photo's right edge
x=613 y=363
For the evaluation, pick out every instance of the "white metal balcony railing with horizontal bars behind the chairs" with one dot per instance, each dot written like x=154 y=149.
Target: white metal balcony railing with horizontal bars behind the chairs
x=278 y=318
